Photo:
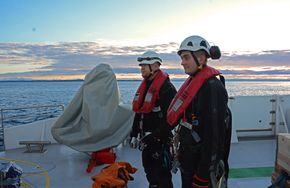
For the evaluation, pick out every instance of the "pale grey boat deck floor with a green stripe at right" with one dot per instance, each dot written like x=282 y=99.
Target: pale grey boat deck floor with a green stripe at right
x=67 y=167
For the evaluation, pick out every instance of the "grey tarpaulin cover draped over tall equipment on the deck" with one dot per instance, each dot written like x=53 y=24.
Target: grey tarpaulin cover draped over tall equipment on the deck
x=94 y=119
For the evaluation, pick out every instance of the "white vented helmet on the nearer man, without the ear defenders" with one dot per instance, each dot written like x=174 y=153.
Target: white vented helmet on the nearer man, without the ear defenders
x=193 y=44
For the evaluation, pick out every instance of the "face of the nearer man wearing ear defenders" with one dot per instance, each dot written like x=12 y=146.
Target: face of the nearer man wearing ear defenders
x=188 y=63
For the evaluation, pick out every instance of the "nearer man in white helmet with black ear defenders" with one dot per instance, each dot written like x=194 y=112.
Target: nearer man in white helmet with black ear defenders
x=200 y=108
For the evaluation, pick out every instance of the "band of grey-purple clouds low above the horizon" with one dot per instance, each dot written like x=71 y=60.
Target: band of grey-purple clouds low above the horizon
x=36 y=60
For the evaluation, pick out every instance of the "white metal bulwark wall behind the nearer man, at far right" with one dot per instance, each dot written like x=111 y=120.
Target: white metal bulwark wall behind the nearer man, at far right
x=255 y=117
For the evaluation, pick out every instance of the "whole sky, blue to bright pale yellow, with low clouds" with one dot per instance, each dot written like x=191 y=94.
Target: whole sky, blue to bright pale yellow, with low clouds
x=65 y=39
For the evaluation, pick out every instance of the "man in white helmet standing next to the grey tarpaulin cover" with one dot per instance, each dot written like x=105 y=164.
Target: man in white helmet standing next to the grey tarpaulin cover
x=150 y=130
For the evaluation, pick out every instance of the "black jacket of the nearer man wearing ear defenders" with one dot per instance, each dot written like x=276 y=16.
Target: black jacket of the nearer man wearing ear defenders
x=206 y=113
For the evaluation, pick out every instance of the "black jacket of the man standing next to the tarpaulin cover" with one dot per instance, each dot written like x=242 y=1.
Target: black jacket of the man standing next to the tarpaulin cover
x=155 y=122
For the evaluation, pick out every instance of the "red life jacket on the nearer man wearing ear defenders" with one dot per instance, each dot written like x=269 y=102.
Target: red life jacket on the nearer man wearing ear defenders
x=187 y=92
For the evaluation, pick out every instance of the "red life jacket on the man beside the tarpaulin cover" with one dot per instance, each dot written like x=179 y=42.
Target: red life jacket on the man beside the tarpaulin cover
x=151 y=96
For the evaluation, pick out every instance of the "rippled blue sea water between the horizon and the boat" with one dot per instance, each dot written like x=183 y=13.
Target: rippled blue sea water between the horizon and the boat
x=18 y=94
